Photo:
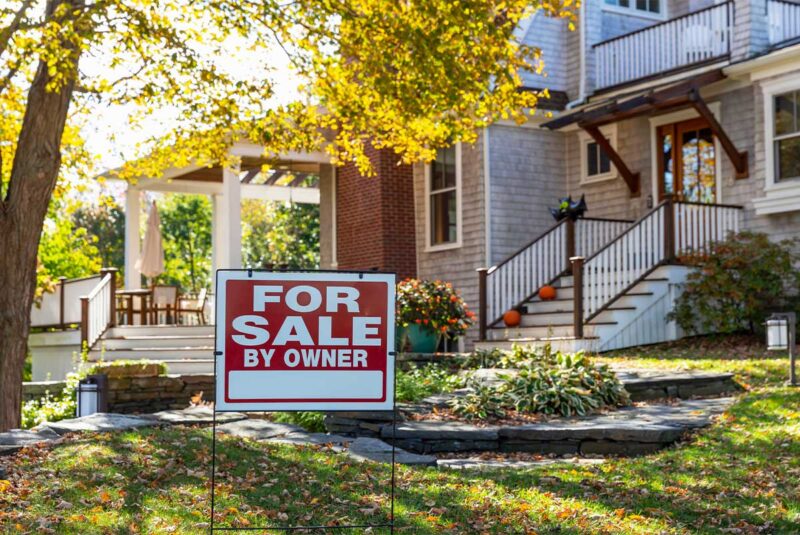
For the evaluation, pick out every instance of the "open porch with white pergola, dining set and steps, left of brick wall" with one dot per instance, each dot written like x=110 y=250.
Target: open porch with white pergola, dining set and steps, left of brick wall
x=113 y=319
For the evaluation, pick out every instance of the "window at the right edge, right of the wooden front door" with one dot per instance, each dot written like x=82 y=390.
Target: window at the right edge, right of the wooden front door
x=786 y=136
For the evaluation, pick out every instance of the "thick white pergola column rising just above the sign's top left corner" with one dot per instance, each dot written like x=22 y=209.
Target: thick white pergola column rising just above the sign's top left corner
x=229 y=219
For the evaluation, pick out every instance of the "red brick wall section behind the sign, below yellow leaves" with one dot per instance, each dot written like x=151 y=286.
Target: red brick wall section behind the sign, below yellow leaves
x=375 y=217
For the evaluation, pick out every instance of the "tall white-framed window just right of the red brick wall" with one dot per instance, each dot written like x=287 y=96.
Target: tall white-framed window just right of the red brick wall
x=443 y=179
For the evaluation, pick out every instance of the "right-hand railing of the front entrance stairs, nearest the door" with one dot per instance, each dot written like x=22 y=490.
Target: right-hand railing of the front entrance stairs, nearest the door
x=669 y=231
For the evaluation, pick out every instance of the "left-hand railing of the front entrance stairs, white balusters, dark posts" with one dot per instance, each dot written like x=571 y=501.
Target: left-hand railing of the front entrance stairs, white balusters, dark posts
x=515 y=280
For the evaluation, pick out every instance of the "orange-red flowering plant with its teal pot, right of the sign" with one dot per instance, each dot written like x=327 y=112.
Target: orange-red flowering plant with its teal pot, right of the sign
x=427 y=311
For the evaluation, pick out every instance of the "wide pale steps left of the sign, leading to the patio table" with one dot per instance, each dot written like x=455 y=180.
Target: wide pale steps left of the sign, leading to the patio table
x=185 y=349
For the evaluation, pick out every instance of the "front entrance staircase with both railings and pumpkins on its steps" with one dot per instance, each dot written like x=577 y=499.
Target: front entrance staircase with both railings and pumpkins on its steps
x=615 y=280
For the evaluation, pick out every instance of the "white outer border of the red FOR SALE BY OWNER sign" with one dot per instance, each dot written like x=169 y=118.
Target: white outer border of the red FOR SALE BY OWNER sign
x=225 y=275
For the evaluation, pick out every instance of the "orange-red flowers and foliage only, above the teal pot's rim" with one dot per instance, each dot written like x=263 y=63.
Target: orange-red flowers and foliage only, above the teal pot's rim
x=434 y=306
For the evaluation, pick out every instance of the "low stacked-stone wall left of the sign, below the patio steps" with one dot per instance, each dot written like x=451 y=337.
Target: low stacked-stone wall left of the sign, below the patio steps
x=130 y=395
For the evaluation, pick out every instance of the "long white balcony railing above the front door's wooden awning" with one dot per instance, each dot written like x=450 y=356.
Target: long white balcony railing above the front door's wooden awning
x=691 y=39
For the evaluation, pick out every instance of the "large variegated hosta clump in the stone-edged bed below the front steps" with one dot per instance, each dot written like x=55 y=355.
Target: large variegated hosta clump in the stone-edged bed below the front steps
x=545 y=382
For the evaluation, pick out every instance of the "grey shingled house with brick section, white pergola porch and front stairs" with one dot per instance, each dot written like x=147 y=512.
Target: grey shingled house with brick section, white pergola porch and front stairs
x=679 y=121
